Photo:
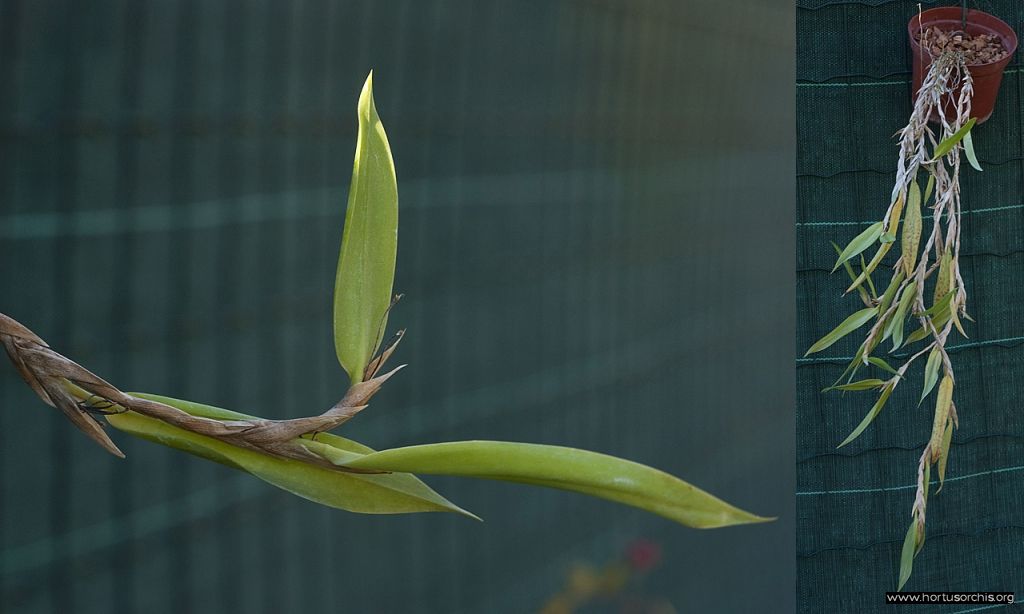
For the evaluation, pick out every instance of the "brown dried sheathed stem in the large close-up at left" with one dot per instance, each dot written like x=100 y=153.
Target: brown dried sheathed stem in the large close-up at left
x=64 y=384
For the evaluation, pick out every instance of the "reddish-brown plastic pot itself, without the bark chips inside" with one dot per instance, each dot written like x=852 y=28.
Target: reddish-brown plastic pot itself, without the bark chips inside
x=987 y=77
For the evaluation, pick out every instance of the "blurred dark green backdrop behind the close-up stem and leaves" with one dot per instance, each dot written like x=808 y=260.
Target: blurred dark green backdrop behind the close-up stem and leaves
x=595 y=245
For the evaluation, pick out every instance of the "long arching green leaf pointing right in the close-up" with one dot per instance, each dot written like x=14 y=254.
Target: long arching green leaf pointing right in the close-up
x=569 y=469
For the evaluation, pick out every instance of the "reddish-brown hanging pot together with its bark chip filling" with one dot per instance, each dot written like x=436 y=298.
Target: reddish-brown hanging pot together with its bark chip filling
x=982 y=40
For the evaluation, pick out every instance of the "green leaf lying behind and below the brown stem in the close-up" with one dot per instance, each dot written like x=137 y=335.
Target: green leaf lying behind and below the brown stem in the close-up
x=366 y=494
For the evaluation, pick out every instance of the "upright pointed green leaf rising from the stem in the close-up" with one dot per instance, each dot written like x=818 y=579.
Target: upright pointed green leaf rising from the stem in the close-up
x=369 y=245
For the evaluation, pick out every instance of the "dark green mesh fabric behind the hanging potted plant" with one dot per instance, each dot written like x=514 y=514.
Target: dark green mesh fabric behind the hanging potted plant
x=855 y=504
